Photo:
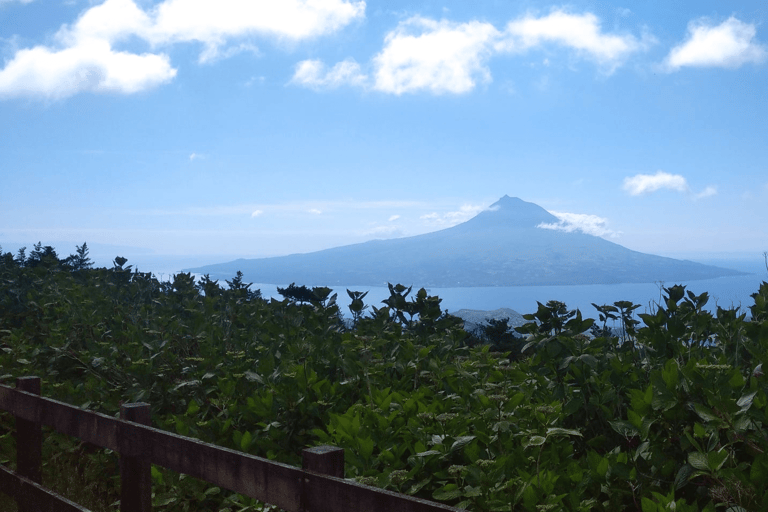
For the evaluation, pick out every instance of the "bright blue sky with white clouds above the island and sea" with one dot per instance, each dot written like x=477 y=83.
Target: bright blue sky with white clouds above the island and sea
x=263 y=128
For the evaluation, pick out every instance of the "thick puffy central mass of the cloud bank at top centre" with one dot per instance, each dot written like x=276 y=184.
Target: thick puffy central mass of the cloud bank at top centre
x=422 y=54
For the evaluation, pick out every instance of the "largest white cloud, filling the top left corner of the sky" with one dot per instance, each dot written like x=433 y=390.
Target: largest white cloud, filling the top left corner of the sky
x=83 y=57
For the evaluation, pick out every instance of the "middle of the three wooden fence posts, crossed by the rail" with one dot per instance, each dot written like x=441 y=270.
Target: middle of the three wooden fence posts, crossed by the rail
x=135 y=472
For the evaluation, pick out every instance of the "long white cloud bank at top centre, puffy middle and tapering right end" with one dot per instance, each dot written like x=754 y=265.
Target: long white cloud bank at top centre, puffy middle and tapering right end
x=423 y=54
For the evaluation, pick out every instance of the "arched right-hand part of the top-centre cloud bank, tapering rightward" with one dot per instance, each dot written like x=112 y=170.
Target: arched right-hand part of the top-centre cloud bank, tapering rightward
x=581 y=32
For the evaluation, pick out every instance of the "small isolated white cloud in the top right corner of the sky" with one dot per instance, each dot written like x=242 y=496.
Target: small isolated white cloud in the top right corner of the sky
x=728 y=45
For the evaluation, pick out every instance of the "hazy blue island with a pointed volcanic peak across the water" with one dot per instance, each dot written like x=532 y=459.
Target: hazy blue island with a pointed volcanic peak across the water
x=504 y=245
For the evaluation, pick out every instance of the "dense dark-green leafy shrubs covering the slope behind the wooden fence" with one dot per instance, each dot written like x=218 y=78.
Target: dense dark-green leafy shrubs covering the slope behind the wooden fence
x=670 y=416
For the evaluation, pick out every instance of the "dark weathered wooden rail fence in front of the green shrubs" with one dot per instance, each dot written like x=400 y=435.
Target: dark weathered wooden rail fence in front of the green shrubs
x=318 y=487
